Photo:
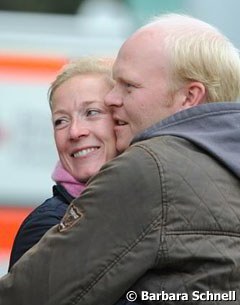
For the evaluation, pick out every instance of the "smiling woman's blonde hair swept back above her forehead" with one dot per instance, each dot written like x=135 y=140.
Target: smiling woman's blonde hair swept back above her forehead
x=82 y=66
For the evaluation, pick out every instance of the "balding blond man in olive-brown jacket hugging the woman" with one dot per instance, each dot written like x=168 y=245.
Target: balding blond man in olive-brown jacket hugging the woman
x=162 y=219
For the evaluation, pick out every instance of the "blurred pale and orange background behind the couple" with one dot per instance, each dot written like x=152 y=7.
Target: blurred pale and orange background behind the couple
x=36 y=39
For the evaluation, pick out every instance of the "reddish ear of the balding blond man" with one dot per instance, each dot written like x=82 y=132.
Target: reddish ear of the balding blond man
x=195 y=94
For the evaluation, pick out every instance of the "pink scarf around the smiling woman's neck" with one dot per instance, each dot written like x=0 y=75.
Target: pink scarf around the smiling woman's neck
x=60 y=175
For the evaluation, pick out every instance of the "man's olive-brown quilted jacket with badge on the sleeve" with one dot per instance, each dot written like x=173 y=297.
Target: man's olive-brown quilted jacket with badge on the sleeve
x=163 y=218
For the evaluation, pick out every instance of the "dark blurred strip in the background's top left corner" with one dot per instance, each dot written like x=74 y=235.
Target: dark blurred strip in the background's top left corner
x=42 y=6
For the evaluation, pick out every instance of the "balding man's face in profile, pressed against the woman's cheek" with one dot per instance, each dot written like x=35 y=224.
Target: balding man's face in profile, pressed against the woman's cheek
x=141 y=95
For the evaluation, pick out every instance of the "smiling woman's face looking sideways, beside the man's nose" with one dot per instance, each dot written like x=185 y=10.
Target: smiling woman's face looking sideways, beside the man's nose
x=83 y=125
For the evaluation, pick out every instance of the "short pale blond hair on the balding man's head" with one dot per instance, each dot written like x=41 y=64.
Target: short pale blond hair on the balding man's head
x=199 y=52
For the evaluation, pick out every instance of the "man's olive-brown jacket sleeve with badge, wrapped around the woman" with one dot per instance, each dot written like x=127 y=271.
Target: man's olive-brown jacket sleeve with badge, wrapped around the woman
x=109 y=240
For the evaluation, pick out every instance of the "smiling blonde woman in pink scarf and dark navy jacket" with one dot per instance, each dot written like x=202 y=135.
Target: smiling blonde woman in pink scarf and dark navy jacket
x=84 y=137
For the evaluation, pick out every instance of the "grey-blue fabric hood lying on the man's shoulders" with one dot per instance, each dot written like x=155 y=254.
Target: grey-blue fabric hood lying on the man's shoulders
x=215 y=127
